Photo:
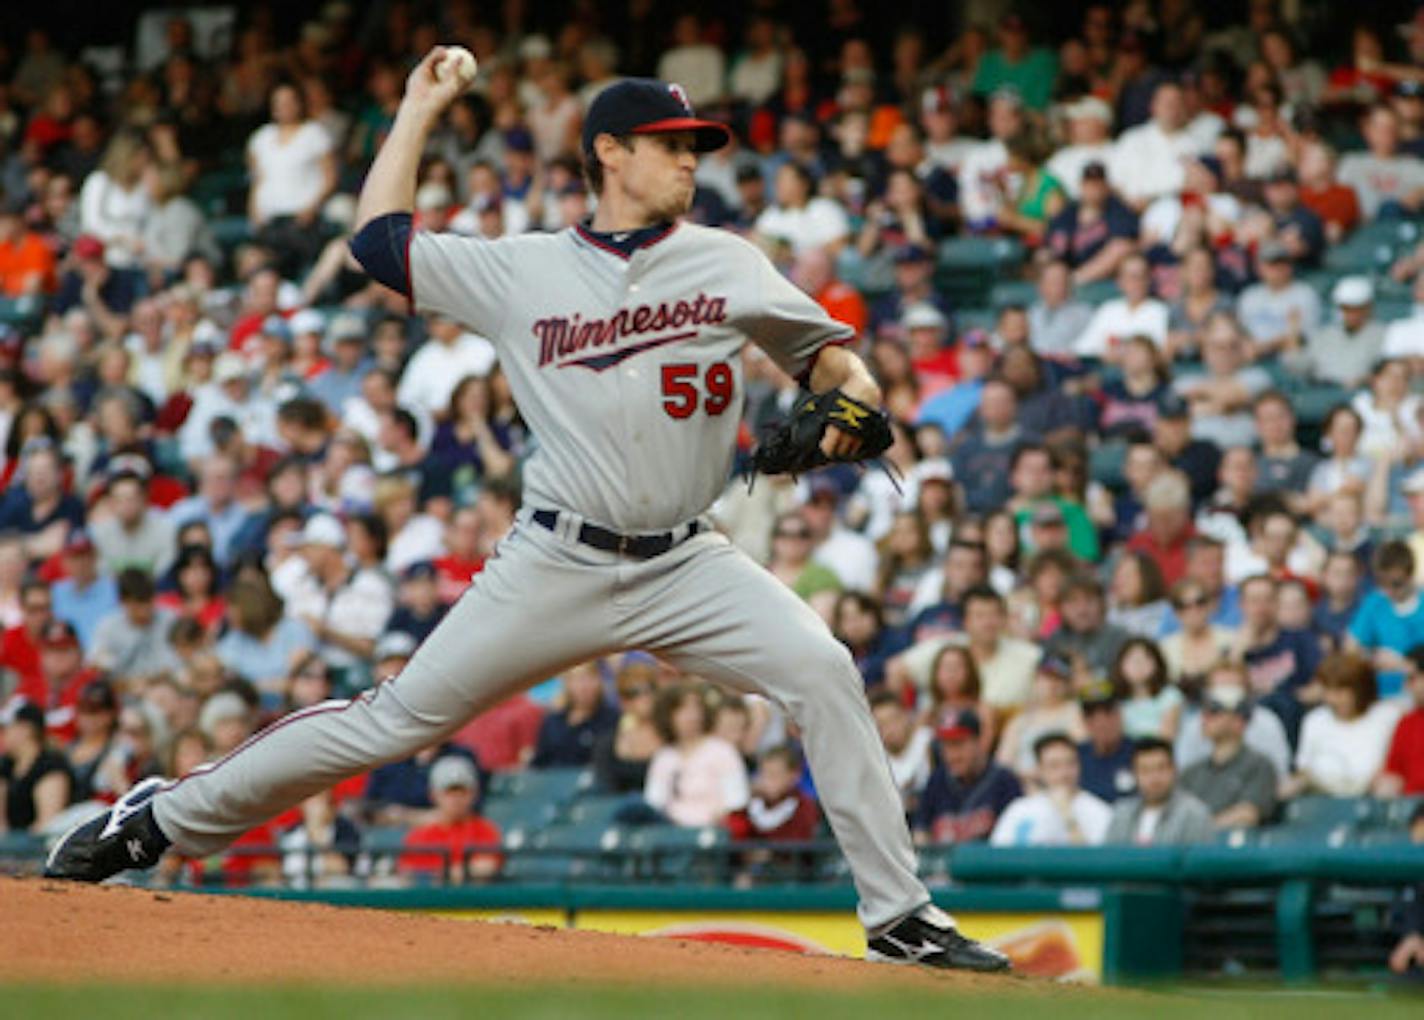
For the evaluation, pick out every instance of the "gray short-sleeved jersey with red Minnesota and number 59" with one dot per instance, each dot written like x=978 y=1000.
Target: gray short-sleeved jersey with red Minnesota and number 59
x=626 y=370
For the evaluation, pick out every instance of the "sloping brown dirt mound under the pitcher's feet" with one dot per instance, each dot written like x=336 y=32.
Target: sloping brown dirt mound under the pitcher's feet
x=62 y=932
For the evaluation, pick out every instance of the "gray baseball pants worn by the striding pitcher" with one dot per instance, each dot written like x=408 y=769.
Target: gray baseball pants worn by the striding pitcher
x=545 y=603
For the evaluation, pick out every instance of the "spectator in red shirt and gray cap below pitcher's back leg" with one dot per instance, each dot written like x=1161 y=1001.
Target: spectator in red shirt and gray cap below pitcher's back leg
x=448 y=843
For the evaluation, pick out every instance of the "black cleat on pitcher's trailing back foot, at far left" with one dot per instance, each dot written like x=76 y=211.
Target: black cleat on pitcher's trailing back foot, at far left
x=122 y=838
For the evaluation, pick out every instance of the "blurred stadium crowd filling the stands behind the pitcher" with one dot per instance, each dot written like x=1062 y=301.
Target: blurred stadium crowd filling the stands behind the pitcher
x=1143 y=565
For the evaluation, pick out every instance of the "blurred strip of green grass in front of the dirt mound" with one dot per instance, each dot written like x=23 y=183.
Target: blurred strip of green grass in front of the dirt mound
x=623 y=1004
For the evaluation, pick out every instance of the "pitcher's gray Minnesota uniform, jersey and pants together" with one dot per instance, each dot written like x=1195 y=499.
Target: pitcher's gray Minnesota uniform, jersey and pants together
x=627 y=371
